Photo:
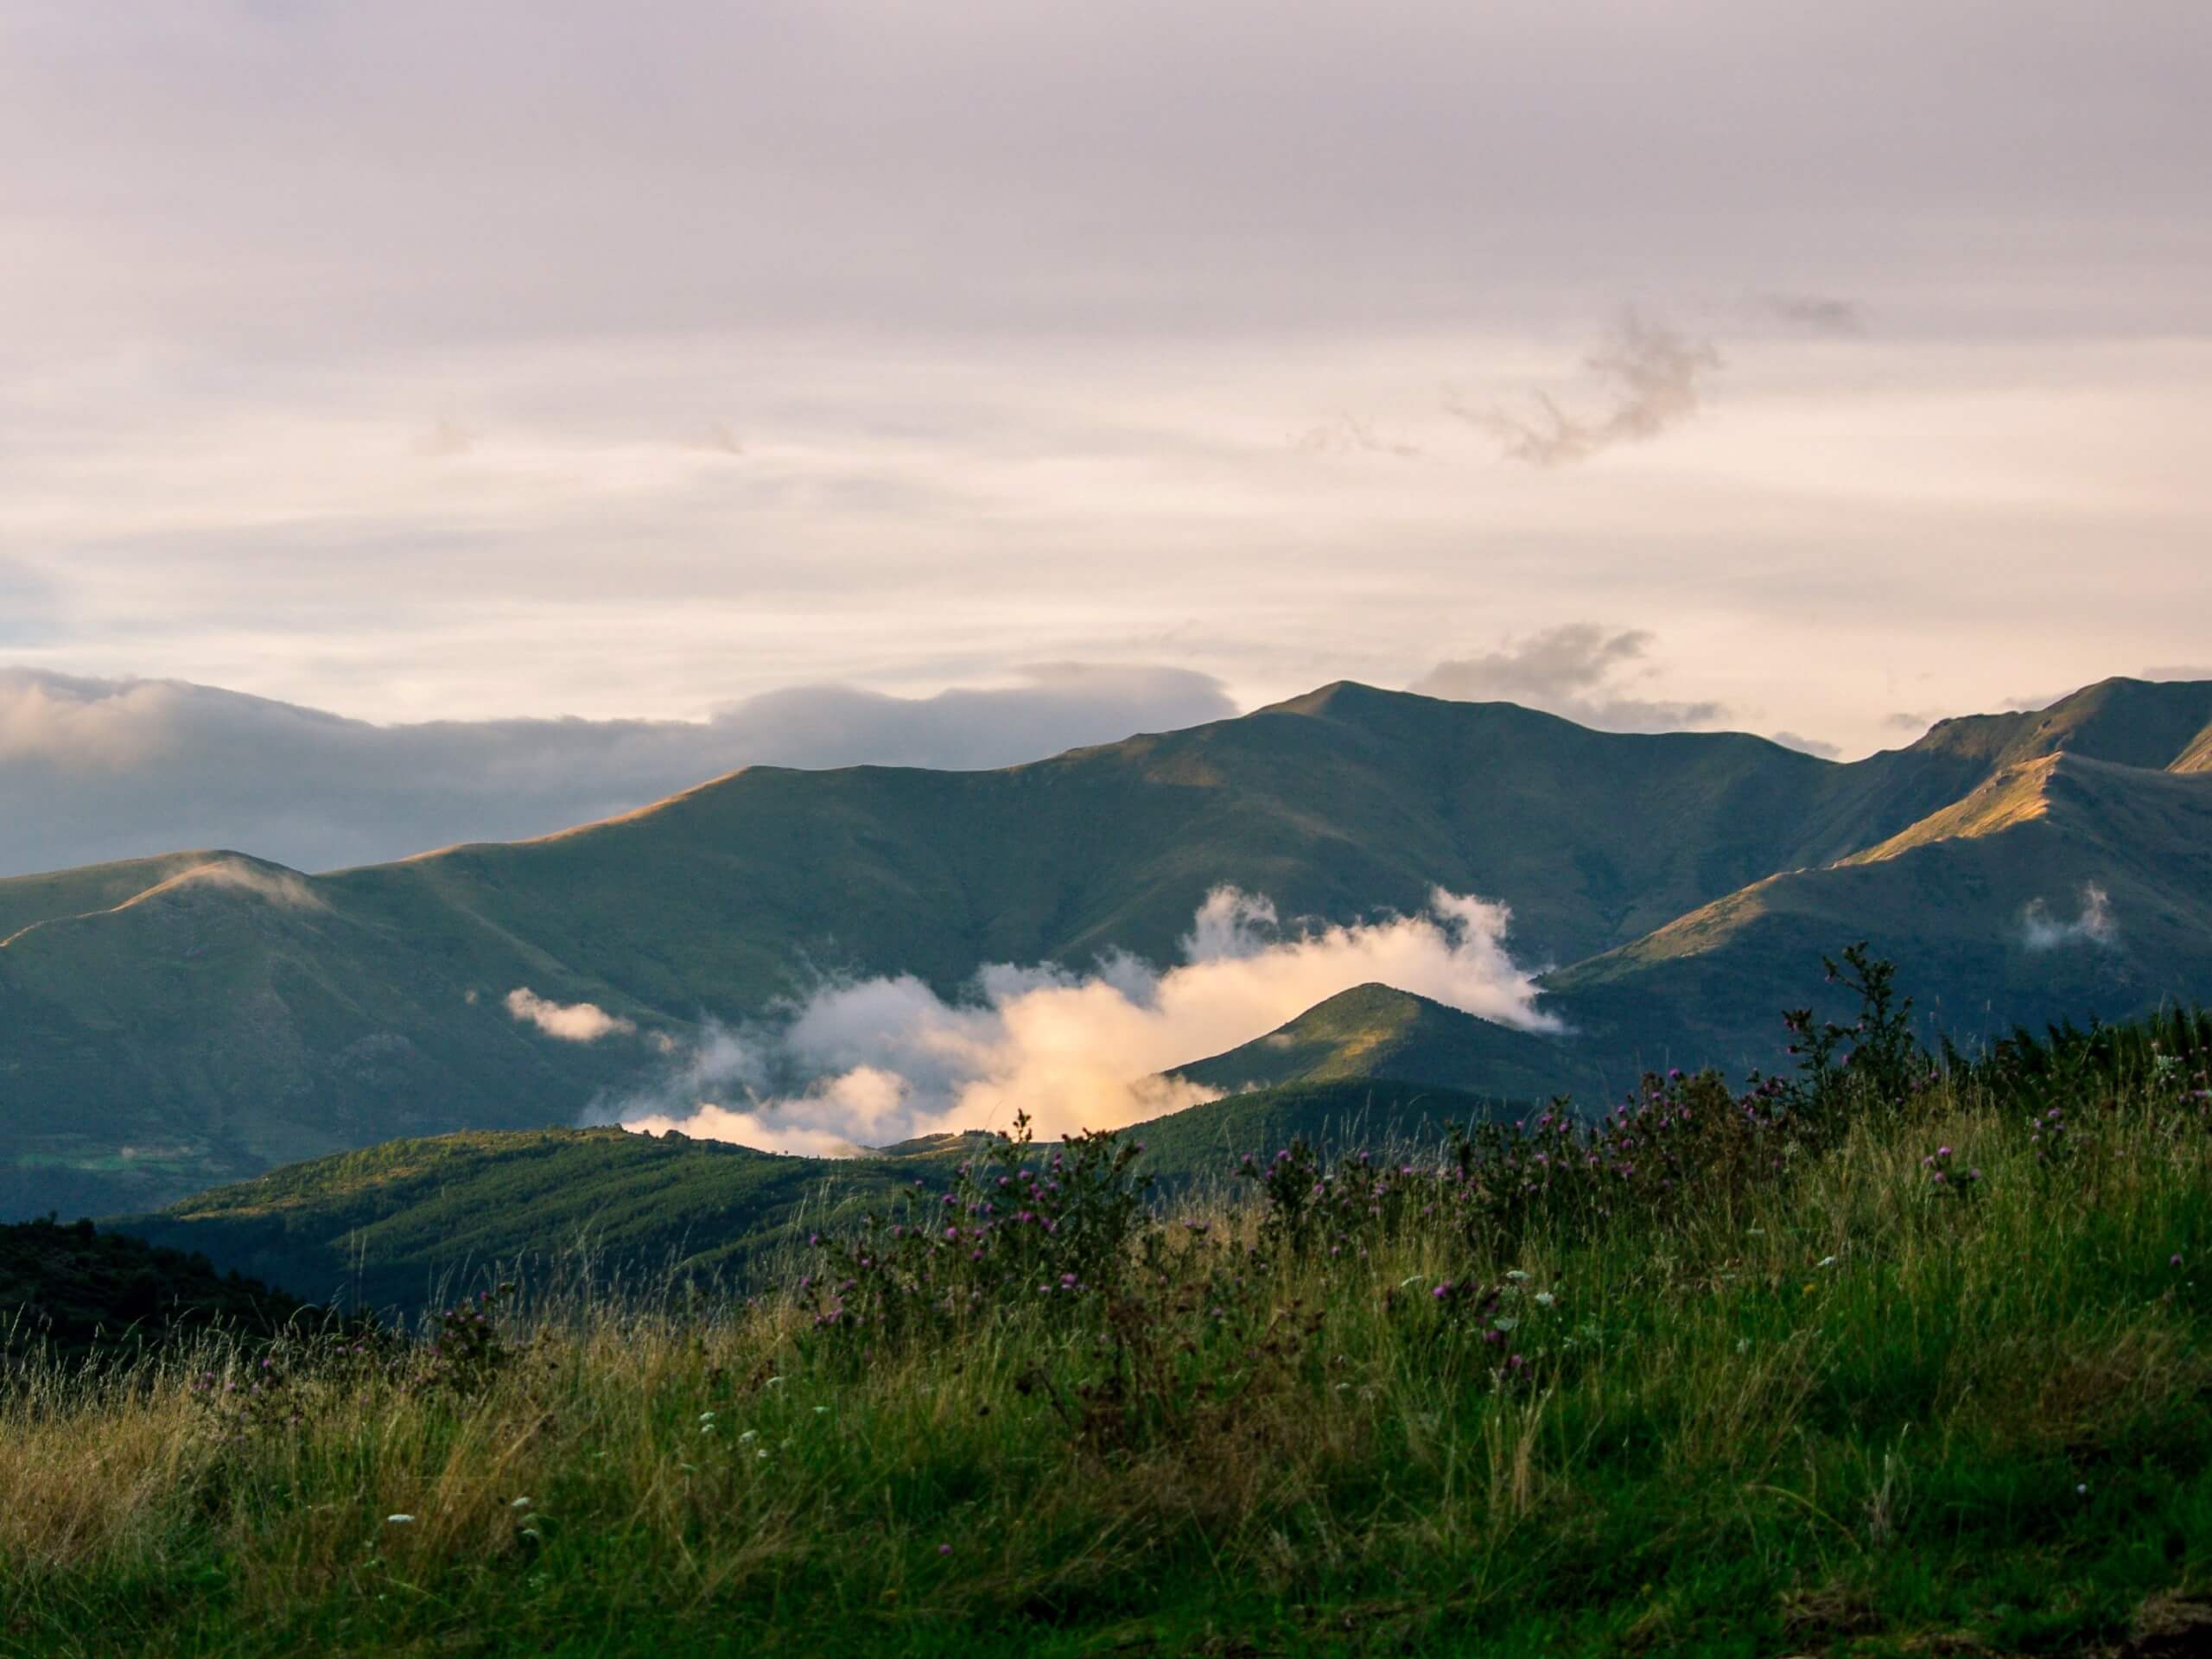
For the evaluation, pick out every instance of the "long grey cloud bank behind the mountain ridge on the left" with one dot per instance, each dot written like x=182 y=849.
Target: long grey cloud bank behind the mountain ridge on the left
x=136 y=766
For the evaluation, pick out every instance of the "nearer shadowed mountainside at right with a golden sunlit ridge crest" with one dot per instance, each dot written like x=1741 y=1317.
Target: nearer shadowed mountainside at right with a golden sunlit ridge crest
x=2063 y=888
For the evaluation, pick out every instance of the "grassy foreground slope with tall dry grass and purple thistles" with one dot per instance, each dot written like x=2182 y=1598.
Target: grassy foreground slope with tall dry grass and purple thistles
x=1731 y=1375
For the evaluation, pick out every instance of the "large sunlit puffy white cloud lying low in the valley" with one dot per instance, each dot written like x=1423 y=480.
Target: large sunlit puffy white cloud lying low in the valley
x=873 y=1063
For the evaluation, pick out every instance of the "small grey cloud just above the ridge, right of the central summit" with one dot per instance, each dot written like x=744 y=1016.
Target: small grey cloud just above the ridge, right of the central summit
x=1578 y=671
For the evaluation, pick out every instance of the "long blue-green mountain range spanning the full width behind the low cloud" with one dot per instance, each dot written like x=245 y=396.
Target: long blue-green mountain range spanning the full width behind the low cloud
x=231 y=1016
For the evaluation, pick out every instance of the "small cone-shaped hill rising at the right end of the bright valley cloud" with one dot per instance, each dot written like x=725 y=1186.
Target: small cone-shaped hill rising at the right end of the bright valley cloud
x=1381 y=1034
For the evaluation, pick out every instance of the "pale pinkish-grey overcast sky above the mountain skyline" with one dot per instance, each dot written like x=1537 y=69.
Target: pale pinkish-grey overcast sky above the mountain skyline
x=1738 y=364
